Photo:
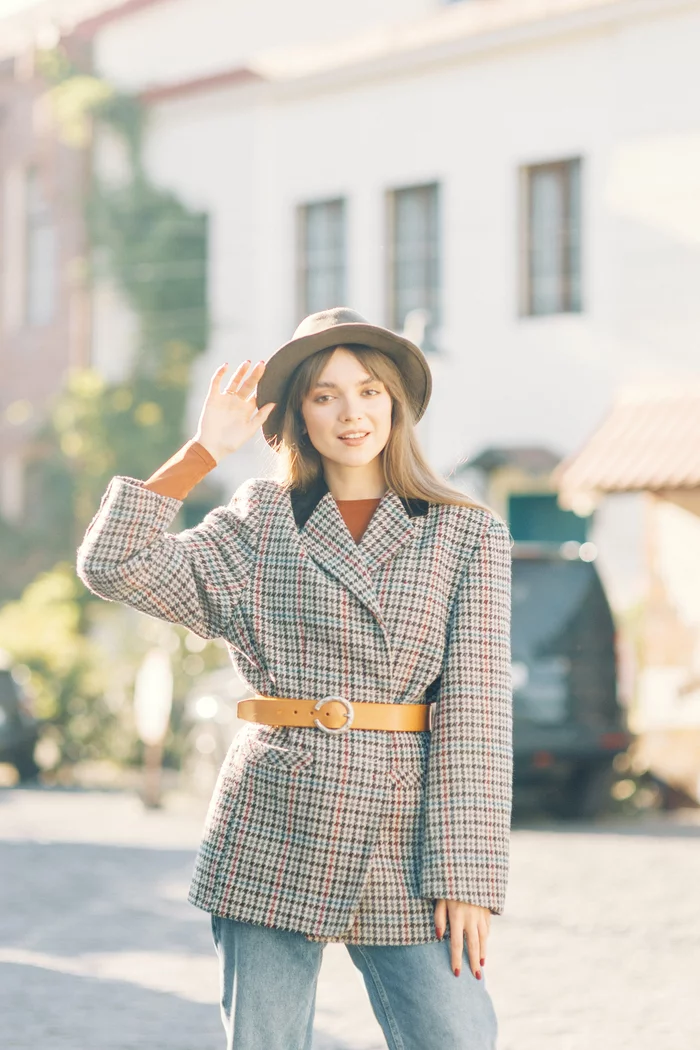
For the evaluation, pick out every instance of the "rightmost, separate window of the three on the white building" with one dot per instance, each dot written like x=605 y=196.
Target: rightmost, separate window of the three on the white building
x=551 y=248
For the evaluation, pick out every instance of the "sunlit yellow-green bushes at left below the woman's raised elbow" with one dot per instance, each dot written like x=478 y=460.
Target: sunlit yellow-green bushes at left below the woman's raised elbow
x=79 y=660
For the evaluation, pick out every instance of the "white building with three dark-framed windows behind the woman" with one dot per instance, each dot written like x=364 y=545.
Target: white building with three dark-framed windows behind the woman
x=506 y=182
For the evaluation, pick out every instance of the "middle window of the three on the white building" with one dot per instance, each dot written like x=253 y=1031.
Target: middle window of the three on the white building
x=414 y=264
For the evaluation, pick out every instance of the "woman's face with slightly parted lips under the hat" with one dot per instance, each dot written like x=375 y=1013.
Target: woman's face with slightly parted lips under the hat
x=348 y=413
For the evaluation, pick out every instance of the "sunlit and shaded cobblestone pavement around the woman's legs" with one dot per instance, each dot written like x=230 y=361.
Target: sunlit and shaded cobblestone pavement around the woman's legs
x=599 y=950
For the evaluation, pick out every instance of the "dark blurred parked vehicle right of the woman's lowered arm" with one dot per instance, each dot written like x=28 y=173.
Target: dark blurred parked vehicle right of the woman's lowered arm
x=568 y=724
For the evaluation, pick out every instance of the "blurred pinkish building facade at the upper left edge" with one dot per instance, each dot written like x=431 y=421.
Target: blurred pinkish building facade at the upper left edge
x=45 y=306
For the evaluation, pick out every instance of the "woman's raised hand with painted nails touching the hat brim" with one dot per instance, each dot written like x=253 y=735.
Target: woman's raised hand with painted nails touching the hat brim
x=231 y=416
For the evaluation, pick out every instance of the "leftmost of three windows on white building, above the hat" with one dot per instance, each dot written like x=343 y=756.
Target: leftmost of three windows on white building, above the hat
x=322 y=257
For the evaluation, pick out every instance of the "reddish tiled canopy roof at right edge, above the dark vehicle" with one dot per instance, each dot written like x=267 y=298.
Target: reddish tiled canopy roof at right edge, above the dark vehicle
x=650 y=440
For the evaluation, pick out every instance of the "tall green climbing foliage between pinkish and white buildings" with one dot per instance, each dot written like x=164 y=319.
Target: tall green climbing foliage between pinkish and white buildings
x=155 y=249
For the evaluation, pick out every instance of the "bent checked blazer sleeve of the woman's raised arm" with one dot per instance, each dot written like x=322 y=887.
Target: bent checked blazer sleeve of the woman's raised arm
x=196 y=578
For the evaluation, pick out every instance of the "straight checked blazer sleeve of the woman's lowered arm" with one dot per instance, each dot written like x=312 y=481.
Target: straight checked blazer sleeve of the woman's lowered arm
x=471 y=767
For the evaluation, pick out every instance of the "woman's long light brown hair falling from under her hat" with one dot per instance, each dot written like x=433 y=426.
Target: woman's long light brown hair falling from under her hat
x=407 y=471
